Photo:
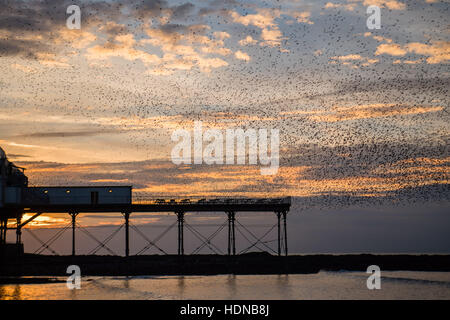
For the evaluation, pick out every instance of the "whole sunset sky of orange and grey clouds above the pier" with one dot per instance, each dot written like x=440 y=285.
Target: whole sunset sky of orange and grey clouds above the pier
x=362 y=113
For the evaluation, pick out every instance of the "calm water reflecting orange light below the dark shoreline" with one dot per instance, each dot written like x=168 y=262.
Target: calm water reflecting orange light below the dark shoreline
x=324 y=285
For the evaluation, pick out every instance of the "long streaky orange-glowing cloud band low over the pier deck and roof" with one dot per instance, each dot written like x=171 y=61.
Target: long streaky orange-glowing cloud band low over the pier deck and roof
x=370 y=170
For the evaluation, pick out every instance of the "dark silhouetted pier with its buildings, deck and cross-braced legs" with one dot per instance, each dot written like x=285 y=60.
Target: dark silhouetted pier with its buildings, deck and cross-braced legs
x=19 y=199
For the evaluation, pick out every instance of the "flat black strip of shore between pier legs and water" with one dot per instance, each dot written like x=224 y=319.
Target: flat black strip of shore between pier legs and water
x=251 y=263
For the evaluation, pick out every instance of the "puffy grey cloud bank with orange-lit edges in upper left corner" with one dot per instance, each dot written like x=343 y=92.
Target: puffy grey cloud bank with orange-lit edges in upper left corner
x=37 y=30
